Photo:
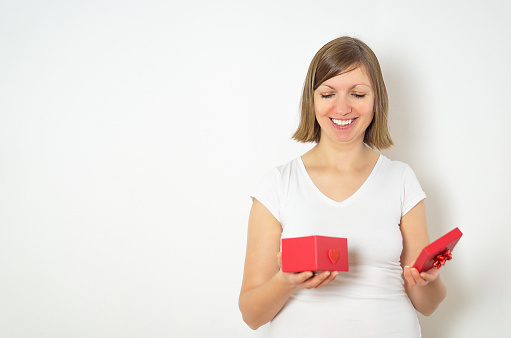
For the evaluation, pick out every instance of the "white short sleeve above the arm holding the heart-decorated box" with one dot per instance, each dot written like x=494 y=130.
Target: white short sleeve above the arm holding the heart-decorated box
x=268 y=192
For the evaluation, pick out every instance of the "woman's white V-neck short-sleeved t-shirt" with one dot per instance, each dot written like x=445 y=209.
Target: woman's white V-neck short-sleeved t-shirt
x=368 y=300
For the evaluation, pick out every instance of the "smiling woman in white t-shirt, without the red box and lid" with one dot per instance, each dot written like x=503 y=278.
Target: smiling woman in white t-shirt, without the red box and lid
x=341 y=188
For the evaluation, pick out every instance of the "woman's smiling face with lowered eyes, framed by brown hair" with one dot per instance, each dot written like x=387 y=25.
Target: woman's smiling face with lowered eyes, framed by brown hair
x=344 y=106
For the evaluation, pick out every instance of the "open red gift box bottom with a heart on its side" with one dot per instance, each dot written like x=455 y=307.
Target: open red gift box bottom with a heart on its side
x=314 y=253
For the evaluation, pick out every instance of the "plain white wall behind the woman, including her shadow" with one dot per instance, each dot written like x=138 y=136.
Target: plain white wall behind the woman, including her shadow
x=132 y=133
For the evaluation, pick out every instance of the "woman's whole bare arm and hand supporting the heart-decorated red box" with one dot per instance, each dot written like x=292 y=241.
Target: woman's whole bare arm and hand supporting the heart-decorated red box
x=265 y=287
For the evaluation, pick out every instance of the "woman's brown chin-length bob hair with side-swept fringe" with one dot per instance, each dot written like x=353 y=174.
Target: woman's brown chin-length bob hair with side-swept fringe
x=336 y=57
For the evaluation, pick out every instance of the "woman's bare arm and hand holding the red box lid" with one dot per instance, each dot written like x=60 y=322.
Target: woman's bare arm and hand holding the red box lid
x=426 y=290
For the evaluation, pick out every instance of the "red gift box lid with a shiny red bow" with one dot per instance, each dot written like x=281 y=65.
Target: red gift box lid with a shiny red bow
x=438 y=252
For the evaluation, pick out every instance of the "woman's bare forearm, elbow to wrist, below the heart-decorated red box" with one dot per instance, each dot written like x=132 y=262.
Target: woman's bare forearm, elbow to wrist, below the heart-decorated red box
x=261 y=304
